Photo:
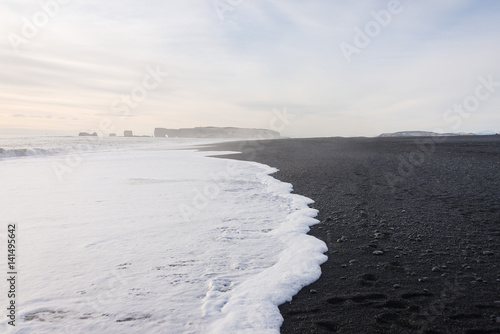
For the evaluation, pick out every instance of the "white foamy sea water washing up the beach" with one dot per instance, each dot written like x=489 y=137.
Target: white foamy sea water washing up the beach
x=145 y=235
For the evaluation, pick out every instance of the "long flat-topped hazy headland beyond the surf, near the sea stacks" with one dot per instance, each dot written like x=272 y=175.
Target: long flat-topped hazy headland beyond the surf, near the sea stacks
x=217 y=132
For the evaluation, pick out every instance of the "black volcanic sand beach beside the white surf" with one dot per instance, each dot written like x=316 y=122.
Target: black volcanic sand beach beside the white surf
x=437 y=224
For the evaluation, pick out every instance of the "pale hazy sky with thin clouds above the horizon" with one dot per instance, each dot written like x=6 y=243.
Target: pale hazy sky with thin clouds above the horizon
x=305 y=68
